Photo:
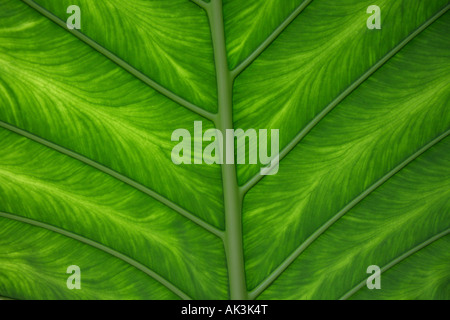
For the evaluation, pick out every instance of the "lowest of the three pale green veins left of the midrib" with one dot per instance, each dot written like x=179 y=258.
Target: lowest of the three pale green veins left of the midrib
x=101 y=247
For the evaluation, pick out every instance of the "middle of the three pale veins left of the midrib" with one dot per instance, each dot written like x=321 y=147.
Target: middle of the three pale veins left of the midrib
x=118 y=176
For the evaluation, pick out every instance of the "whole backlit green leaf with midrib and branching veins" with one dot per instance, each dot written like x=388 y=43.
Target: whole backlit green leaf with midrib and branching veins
x=86 y=176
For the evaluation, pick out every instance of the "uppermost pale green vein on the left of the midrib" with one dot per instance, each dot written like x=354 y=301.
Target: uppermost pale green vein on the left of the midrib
x=123 y=64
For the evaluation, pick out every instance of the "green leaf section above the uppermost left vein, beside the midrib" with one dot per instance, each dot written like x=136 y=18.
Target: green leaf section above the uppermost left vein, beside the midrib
x=169 y=41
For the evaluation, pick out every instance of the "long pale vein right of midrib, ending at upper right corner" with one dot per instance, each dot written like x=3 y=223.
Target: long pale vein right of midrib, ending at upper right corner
x=304 y=132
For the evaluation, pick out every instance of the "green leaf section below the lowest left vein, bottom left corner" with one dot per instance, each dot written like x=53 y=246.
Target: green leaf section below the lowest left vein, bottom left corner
x=38 y=260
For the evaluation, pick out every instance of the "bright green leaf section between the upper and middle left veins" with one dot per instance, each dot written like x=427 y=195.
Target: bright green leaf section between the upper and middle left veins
x=83 y=102
